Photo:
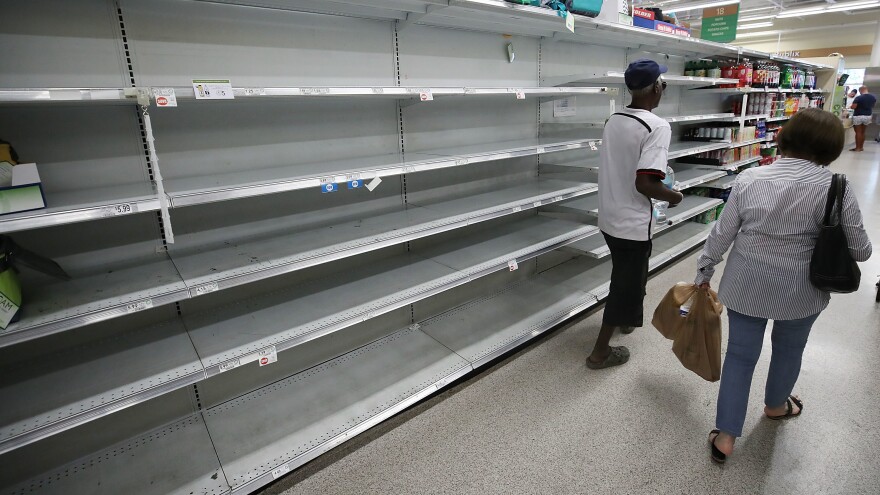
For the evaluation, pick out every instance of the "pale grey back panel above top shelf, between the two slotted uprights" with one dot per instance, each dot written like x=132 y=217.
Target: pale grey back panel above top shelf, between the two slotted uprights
x=255 y=47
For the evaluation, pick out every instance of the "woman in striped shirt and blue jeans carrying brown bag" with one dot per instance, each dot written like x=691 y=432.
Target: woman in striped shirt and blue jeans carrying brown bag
x=772 y=218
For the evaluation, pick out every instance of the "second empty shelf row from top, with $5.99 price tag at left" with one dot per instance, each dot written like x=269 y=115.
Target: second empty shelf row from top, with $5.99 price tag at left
x=91 y=204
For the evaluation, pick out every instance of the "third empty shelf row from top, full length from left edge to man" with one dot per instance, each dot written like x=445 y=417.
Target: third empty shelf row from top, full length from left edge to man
x=191 y=268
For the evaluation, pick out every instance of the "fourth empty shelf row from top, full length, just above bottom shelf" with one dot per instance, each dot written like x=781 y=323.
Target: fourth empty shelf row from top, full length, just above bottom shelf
x=70 y=387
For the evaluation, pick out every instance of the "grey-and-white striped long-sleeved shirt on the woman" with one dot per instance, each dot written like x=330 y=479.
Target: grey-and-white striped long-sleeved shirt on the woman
x=773 y=218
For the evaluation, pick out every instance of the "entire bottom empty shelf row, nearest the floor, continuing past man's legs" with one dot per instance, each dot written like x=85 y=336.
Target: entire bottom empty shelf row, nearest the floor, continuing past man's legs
x=370 y=384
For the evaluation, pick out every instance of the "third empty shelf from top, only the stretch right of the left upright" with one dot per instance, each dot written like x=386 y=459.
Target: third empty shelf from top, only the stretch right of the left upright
x=243 y=262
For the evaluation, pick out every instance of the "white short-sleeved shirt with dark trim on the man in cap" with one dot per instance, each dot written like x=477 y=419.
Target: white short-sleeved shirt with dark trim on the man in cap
x=634 y=142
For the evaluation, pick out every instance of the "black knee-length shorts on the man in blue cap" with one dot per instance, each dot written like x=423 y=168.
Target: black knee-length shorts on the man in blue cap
x=629 y=276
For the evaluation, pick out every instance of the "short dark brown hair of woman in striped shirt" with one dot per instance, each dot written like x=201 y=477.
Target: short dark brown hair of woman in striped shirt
x=814 y=135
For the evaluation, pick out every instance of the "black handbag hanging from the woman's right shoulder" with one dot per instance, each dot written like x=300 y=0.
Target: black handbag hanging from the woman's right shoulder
x=832 y=269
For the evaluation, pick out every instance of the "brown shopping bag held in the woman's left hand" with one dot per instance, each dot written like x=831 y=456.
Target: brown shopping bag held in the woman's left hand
x=697 y=334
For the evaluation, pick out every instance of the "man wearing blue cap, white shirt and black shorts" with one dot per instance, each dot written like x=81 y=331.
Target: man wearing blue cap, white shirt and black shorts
x=635 y=148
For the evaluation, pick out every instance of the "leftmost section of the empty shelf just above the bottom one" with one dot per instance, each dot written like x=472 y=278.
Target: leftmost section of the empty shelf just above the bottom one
x=54 y=392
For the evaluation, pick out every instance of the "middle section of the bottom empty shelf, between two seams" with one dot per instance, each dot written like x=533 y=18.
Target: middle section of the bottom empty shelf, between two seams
x=268 y=432
